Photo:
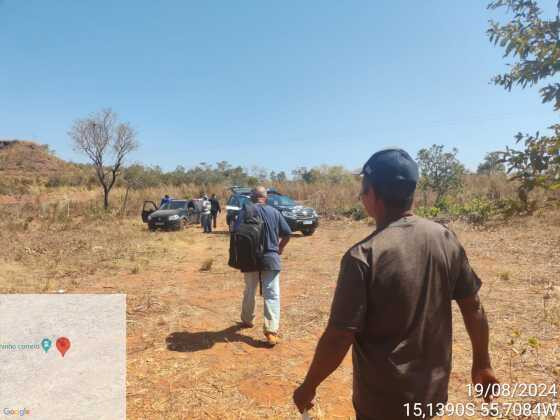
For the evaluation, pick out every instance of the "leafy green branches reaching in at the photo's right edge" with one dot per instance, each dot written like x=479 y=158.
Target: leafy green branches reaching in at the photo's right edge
x=533 y=41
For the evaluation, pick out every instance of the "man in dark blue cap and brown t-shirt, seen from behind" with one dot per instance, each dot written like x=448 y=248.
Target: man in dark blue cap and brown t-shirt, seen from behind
x=393 y=305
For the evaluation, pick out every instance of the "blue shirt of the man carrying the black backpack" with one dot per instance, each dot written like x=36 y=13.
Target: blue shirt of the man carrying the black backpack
x=275 y=227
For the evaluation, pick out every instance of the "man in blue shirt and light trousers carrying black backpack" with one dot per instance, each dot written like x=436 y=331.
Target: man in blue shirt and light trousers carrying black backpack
x=259 y=237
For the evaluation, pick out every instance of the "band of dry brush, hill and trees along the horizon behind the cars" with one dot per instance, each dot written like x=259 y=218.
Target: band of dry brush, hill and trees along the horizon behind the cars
x=39 y=185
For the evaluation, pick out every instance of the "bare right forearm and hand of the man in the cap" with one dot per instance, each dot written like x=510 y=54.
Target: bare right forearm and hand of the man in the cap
x=477 y=327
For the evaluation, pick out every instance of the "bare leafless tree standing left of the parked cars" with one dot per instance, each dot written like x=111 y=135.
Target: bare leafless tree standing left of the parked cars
x=102 y=138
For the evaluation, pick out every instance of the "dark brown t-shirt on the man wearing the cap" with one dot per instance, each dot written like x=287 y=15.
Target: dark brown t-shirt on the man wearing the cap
x=395 y=290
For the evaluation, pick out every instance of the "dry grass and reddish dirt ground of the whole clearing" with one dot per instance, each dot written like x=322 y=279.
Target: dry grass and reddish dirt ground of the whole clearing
x=188 y=359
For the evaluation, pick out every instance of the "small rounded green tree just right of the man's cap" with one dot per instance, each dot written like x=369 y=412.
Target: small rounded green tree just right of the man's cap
x=440 y=171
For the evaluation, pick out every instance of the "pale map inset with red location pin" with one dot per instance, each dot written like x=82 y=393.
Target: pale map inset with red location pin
x=63 y=356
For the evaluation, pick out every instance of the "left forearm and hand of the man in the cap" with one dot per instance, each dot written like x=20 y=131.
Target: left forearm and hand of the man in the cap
x=330 y=352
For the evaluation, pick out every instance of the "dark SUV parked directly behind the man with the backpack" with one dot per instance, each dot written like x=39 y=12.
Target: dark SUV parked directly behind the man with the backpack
x=299 y=218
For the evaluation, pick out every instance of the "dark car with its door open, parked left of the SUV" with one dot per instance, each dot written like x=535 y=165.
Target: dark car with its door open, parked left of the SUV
x=171 y=215
